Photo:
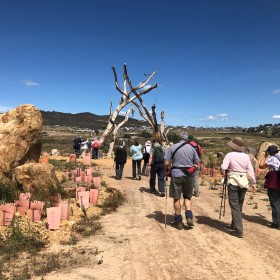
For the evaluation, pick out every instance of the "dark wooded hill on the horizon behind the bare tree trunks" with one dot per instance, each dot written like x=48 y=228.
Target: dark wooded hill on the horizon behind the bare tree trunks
x=84 y=120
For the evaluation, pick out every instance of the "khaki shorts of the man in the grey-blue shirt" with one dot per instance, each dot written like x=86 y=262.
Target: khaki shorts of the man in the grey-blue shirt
x=182 y=185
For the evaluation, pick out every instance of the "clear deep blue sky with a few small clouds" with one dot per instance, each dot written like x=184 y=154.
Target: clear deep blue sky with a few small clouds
x=217 y=62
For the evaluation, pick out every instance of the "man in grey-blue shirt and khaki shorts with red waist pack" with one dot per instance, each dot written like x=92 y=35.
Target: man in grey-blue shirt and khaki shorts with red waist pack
x=184 y=161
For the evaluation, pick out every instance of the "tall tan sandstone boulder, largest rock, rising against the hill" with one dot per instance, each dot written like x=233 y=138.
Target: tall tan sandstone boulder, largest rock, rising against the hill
x=20 y=133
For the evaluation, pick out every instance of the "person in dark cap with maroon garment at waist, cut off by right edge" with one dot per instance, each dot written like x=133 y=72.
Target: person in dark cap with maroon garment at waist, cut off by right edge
x=272 y=182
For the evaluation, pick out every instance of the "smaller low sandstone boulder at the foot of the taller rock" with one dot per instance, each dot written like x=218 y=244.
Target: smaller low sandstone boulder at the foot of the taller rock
x=37 y=175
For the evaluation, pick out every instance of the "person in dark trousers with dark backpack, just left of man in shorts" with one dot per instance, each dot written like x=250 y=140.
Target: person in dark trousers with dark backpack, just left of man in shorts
x=156 y=168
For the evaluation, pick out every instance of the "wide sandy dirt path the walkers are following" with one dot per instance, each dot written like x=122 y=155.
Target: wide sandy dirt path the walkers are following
x=135 y=244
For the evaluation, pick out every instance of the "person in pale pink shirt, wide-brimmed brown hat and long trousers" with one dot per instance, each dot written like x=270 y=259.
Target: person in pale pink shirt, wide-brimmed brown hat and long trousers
x=236 y=165
